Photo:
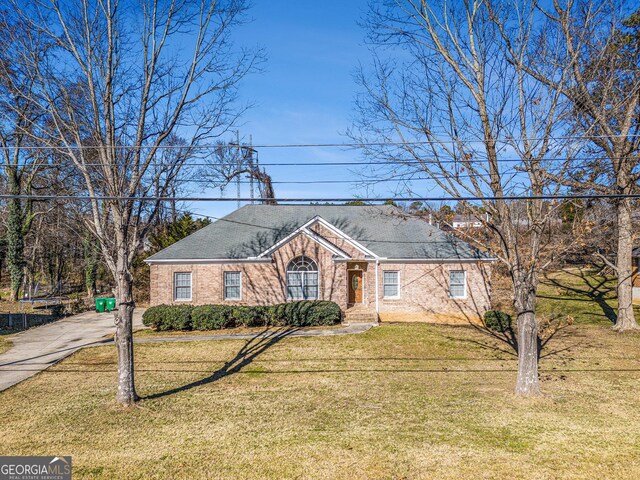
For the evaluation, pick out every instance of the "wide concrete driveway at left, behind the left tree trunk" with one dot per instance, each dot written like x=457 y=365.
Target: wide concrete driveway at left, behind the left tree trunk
x=40 y=347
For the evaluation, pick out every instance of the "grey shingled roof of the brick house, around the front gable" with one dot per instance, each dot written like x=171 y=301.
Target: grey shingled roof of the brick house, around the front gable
x=252 y=229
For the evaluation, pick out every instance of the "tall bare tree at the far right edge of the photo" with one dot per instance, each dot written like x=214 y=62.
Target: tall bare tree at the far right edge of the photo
x=600 y=41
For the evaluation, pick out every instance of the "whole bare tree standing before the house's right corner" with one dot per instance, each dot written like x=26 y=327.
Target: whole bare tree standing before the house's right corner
x=447 y=100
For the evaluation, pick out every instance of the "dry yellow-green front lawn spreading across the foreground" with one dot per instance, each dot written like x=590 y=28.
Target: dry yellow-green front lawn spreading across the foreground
x=401 y=401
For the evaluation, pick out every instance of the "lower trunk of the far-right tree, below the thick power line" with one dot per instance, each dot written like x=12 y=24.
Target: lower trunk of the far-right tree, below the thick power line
x=624 y=265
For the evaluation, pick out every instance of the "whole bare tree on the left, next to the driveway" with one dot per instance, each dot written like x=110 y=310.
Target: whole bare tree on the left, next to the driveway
x=120 y=81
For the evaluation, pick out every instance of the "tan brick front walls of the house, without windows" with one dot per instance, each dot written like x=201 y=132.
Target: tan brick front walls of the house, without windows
x=423 y=286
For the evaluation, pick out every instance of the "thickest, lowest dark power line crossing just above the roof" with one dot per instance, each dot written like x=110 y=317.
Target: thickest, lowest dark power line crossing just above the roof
x=319 y=200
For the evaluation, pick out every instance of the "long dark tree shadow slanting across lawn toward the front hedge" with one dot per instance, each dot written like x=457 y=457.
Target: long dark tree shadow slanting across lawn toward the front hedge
x=249 y=351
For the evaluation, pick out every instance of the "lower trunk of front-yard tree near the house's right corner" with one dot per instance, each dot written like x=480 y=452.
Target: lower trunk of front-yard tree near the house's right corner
x=527 y=383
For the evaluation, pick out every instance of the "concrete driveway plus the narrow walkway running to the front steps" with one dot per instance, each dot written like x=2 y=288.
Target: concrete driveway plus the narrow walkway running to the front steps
x=38 y=348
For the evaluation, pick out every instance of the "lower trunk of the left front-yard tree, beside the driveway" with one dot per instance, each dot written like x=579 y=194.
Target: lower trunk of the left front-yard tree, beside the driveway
x=124 y=338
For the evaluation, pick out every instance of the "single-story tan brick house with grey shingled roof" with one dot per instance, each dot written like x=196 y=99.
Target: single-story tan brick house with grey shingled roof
x=373 y=261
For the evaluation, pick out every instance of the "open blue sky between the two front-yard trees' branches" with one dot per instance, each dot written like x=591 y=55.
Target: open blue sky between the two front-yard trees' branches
x=305 y=94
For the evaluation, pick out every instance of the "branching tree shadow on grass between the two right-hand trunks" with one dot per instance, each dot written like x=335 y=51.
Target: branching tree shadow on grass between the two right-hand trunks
x=595 y=290
